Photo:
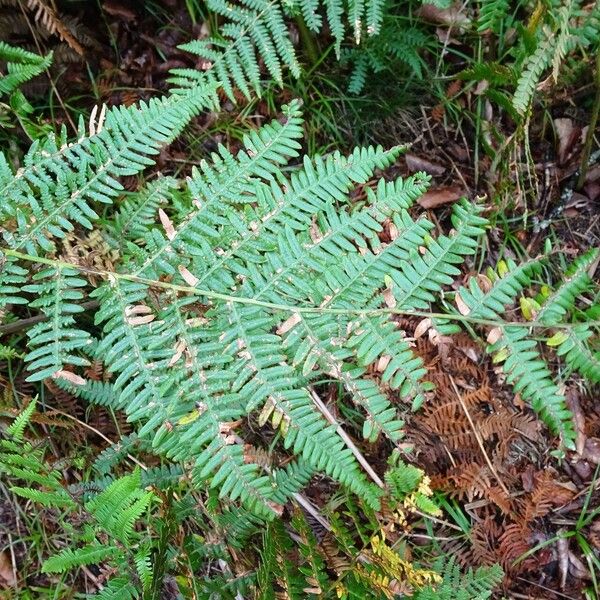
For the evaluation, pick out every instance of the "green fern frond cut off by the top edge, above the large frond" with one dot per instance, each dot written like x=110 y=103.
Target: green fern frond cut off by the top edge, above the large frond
x=256 y=30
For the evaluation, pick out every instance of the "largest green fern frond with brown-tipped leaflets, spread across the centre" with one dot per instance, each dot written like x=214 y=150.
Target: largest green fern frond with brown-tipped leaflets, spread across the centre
x=231 y=305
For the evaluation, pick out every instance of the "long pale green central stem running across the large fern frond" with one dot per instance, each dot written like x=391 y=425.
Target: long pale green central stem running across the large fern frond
x=281 y=307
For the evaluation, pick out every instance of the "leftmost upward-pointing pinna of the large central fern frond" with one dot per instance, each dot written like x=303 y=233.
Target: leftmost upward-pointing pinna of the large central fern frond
x=59 y=181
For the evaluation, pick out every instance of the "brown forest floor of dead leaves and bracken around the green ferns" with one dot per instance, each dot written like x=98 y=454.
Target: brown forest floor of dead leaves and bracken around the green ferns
x=509 y=496
